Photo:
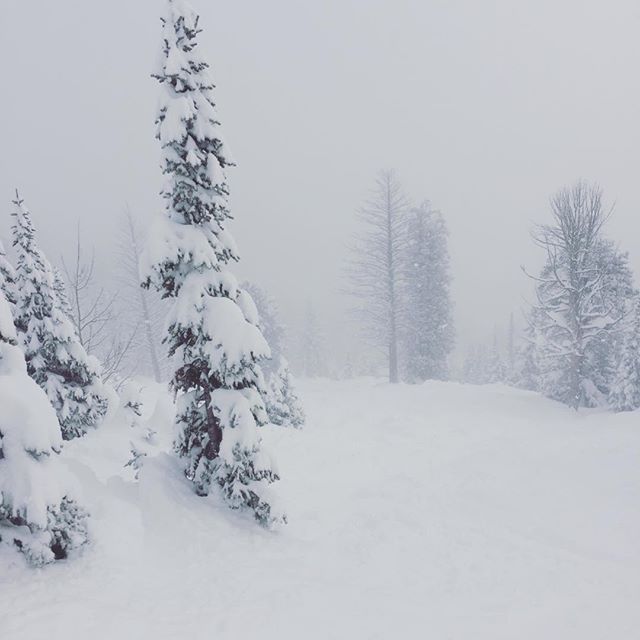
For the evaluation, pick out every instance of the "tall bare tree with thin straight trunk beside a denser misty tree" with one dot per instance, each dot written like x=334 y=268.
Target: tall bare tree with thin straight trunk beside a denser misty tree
x=375 y=268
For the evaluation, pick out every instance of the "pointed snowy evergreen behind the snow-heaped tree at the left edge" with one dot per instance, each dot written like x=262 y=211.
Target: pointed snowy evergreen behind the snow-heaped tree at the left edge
x=55 y=358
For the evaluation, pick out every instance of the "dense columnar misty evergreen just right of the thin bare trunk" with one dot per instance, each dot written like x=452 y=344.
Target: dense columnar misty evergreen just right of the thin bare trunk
x=428 y=334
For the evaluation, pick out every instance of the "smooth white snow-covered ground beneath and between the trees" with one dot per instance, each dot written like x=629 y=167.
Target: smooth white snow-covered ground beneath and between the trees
x=435 y=511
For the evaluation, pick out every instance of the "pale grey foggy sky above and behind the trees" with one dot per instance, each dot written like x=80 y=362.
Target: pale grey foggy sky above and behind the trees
x=483 y=107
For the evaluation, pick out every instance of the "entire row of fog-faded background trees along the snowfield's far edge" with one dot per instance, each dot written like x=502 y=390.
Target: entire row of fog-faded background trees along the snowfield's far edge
x=577 y=345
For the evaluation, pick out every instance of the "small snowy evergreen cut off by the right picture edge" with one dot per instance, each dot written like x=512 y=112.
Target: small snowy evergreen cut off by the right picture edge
x=624 y=394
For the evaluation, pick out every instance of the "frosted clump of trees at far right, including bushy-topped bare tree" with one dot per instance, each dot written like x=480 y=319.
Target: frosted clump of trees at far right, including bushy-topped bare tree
x=581 y=339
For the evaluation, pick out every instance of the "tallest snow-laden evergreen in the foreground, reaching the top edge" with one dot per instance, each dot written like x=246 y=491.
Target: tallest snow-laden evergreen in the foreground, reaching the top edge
x=212 y=327
